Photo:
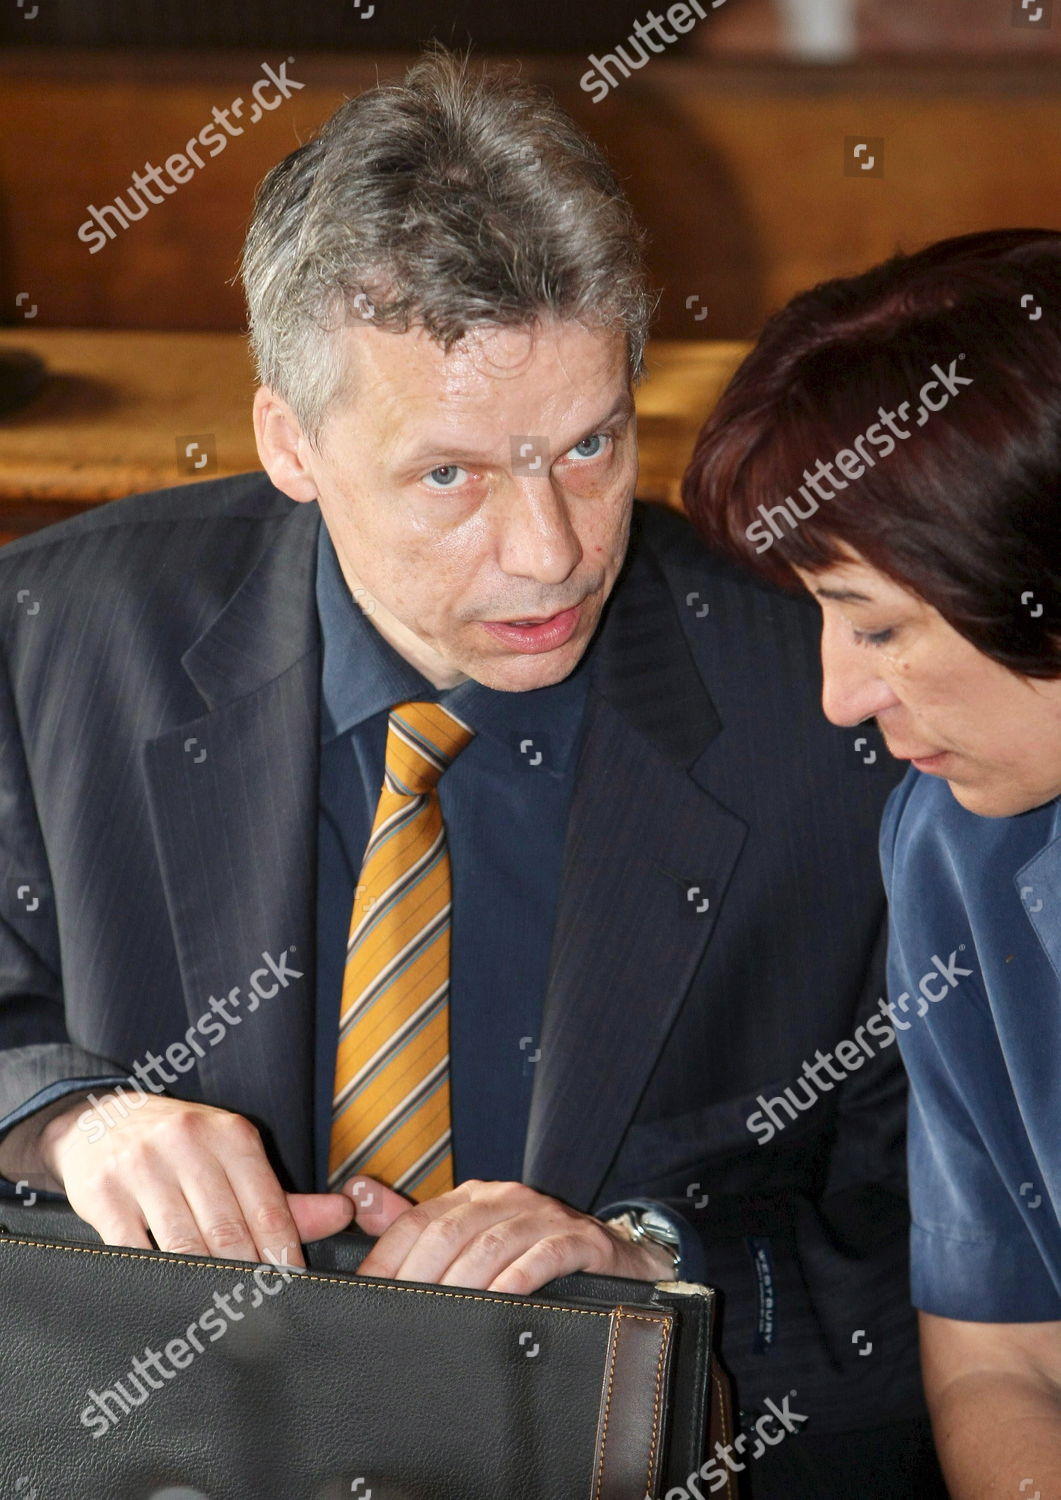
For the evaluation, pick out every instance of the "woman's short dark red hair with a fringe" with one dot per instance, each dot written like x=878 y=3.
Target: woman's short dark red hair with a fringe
x=966 y=512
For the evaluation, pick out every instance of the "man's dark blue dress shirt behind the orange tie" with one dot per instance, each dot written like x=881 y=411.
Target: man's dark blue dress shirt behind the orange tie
x=506 y=817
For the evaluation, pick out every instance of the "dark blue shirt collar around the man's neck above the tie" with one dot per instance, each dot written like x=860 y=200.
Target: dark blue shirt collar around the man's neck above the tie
x=362 y=676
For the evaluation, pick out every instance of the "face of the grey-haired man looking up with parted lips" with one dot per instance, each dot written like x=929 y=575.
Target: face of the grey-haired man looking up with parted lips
x=472 y=559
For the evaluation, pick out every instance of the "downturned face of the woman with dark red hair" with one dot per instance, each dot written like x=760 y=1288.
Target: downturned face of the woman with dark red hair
x=996 y=739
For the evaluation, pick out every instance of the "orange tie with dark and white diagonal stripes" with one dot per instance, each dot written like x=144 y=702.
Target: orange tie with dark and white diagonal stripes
x=391 y=1117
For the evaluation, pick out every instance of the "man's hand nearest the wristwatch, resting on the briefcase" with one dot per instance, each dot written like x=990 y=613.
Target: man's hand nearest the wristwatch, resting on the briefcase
x=496 y=1237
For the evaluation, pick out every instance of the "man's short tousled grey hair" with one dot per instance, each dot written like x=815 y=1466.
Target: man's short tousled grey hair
x=451 y=200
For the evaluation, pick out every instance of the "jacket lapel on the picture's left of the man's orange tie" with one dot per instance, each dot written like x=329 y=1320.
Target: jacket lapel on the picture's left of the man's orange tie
x=233 y=800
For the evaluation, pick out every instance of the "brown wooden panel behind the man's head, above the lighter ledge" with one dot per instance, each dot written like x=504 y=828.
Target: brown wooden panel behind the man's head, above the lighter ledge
x=736 y=170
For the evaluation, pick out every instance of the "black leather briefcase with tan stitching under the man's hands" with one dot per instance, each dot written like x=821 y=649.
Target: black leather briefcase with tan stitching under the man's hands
x=145 y=1376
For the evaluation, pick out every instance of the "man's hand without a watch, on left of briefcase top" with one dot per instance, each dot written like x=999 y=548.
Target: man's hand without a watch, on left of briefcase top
x=193 y=1175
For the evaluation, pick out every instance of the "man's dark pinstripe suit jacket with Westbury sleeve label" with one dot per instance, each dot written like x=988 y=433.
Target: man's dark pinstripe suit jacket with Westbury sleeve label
x=158 y=808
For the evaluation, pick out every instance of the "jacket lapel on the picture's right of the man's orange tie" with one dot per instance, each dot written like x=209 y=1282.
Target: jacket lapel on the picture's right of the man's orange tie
x=648 y=860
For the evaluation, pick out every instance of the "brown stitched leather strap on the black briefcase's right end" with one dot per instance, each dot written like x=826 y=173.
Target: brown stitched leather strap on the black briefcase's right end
x=633 y=1405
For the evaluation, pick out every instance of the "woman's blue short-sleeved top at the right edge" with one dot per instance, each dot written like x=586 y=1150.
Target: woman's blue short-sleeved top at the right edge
x=975 y=977
